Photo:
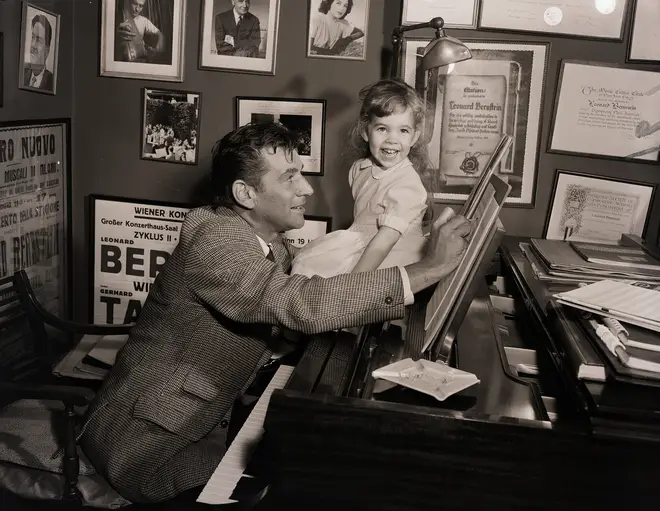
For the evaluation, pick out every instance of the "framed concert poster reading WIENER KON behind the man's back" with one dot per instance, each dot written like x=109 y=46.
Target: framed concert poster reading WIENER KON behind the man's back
x=121 y=274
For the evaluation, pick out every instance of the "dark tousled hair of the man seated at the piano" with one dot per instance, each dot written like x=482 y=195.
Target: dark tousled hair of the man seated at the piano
x=238 y=155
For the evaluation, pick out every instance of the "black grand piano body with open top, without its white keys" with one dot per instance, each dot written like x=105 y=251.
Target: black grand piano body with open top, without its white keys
x=530 y=435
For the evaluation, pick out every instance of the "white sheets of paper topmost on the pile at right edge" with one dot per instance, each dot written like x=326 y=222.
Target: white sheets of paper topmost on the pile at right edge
x=638 y=304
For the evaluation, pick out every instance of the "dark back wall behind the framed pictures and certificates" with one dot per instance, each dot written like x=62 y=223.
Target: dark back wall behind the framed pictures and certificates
x=107 y=113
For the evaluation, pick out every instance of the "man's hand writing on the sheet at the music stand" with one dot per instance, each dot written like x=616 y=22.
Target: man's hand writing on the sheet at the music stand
x=445 y=248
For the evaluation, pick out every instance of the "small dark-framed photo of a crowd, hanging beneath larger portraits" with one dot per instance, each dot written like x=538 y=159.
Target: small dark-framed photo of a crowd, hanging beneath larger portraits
x=170 y=125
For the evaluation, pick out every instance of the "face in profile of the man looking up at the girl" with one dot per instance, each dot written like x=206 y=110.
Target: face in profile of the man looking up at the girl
x=280 y=201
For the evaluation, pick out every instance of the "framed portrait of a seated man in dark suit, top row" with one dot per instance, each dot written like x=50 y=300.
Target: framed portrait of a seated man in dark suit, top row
x=239 y=36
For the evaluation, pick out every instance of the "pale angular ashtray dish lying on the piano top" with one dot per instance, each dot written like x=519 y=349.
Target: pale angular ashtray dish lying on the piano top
x=432 y=378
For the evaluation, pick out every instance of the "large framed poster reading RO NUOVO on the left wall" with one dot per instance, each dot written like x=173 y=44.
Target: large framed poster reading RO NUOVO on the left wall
x=35 y=200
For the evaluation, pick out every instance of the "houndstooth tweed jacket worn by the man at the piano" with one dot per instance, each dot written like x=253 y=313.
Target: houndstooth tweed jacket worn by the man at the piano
x=207 y=326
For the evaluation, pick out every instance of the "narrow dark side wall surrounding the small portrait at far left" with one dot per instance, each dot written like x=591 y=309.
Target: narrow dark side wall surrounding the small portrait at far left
x=21 y=104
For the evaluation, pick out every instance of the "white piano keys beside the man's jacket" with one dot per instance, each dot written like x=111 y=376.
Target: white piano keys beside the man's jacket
x=222 y=483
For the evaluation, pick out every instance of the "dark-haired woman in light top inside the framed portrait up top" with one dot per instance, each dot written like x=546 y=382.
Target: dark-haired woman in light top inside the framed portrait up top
x=330 y=33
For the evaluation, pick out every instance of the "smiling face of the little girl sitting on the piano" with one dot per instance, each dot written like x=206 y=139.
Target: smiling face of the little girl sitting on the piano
x=391 y=137
